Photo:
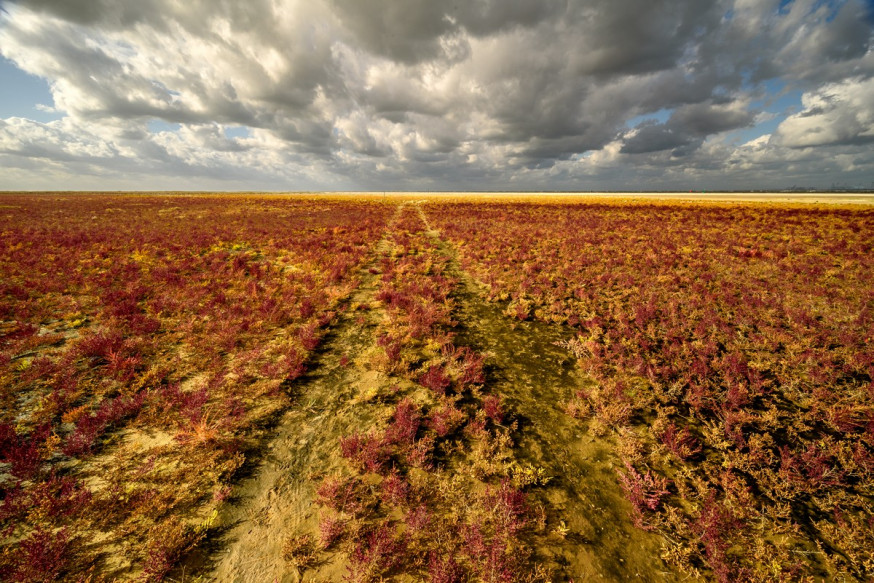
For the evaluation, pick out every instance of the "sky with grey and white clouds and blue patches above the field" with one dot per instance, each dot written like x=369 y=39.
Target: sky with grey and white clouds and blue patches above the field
x=567 y=95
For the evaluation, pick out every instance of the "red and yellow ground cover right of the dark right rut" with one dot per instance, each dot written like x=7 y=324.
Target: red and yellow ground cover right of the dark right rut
x=733 y=349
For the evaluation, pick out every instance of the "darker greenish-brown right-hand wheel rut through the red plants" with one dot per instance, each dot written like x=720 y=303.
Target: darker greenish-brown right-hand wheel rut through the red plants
x=536 y=377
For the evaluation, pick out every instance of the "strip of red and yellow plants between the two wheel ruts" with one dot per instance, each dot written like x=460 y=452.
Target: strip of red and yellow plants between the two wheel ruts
x=434 y=491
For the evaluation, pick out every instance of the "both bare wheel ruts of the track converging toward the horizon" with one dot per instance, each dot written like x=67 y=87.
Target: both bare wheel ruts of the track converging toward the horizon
x=524 y=366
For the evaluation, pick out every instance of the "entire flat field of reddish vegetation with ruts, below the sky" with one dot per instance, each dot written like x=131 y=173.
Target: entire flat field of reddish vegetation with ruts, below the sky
x=429 y=387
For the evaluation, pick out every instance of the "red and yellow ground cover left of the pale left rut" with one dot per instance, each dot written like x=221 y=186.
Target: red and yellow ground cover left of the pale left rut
x=143 y=341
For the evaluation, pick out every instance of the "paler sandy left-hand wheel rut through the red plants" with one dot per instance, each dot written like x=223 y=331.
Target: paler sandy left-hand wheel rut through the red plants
x=277 y=500
